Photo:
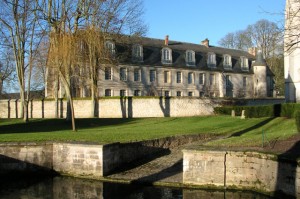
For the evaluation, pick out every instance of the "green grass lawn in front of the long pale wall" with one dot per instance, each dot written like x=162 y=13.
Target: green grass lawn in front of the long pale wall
x=246 y=131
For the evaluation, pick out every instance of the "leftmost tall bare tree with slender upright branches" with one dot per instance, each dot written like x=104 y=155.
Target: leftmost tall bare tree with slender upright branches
x=18 y=21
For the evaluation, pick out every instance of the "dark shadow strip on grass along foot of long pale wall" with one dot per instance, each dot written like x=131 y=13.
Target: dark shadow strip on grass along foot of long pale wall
x=51 y=125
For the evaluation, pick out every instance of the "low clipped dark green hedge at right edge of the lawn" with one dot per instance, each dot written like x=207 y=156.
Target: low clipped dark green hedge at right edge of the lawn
x=277 y=110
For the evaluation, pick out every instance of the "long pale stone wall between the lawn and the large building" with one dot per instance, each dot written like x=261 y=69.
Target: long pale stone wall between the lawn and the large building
x=114 y=108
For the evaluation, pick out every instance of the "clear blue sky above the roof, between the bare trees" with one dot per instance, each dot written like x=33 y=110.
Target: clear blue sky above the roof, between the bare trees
x=194 y=20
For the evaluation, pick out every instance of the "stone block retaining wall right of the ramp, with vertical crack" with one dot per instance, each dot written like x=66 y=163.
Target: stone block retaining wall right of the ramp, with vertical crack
x=250 y=170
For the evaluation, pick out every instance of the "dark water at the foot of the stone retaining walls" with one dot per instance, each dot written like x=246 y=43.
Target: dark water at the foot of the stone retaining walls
x=74 y=188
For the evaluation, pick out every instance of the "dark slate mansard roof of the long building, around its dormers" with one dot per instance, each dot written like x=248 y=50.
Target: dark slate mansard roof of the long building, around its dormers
x=152 y=54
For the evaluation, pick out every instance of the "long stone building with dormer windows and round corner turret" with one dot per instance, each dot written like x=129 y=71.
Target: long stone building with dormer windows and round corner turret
x=161 y=67
